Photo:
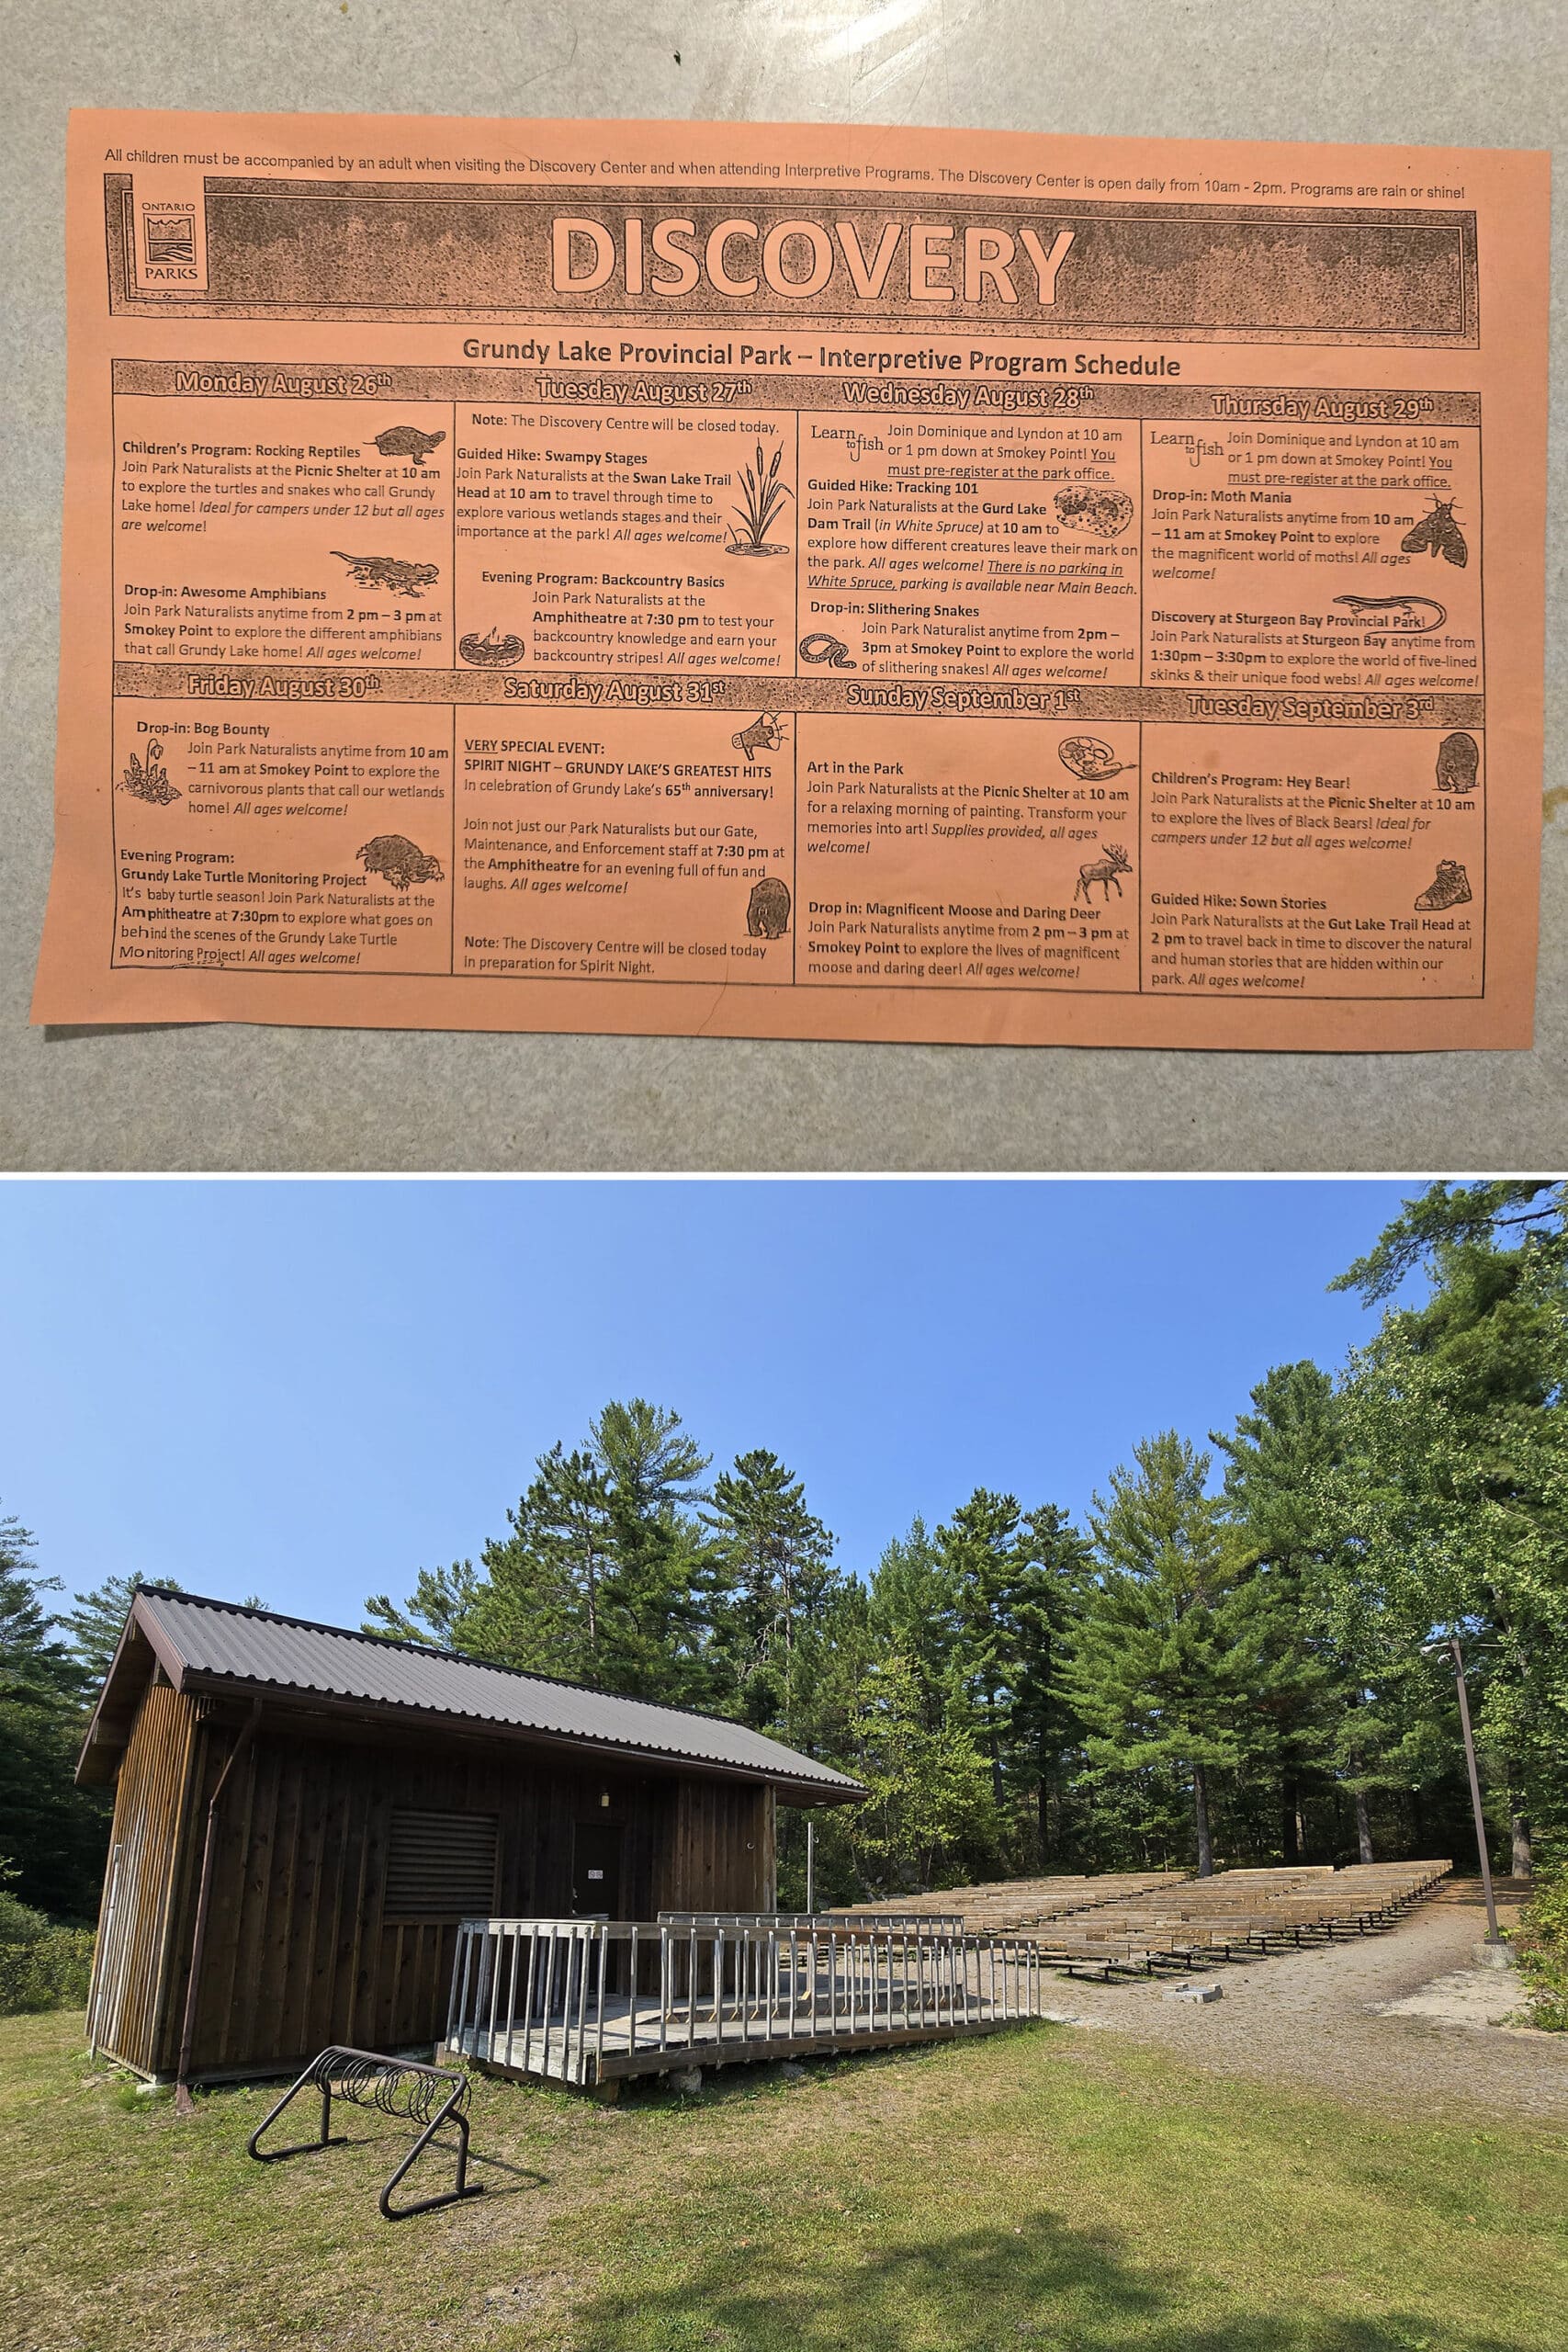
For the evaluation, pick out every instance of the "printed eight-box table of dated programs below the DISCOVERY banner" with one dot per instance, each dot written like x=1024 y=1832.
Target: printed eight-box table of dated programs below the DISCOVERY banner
x=1064 y=688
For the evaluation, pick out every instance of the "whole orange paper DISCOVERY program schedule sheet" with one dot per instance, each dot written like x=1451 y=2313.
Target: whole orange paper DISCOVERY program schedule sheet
x=800 y=584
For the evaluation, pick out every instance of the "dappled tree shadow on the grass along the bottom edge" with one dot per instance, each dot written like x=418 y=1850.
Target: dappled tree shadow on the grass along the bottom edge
x=1043 y=2290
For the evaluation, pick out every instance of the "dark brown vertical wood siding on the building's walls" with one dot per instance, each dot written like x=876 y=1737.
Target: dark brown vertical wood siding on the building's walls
x=297 y=1949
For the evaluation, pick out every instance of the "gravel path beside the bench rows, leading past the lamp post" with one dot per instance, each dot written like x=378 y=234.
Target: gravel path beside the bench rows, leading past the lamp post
x=1322 y=2019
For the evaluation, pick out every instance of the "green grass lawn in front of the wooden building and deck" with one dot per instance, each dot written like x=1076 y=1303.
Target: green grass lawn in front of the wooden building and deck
x=1047 y=2191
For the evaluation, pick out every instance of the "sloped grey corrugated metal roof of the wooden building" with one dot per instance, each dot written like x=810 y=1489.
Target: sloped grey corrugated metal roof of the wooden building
x=208 y=1645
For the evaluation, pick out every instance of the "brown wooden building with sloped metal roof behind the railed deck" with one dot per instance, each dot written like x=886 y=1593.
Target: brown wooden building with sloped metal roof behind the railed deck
x=304 y=1817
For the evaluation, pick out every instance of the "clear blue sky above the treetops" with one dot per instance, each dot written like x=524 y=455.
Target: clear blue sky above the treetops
x=314 y=1389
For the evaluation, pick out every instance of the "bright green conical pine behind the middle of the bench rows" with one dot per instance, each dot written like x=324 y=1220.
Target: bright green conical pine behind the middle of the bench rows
x=1172 y=1652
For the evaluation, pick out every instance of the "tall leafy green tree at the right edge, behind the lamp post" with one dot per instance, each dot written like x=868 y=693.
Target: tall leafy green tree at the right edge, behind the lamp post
x=1456 y=1481
